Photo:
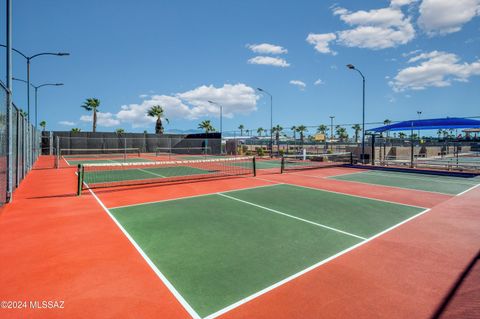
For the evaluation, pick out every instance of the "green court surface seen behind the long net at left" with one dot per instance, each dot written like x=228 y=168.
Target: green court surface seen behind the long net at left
x=141 y=174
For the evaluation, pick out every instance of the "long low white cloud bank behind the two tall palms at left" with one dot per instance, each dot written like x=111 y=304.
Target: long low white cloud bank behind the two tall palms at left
x=191 y=105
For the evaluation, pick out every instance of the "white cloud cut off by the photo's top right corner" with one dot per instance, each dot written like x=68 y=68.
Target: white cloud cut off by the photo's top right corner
x=446 y=16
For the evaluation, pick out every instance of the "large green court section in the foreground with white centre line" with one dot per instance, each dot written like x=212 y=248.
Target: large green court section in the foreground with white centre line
x=218 y=249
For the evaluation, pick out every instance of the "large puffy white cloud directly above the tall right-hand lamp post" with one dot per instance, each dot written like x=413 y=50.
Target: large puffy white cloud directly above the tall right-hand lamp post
x=375 y=29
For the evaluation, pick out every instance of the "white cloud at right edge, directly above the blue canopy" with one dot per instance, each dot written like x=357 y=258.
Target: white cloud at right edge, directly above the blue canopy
x=434 y=69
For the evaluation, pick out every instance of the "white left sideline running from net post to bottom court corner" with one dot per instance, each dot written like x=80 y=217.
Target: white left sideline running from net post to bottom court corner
x=157 y=271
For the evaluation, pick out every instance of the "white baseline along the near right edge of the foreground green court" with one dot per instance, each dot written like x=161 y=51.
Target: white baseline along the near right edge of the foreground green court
x=306 y=270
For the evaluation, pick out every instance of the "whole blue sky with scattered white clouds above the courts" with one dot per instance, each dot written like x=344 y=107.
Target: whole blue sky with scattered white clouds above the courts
x=416 y=55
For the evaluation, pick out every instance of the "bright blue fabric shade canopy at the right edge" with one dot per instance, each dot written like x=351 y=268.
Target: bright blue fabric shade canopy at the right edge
x=432 y=124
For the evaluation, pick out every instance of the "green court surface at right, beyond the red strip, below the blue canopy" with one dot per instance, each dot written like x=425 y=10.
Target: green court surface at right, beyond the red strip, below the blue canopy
x=433 y=183
